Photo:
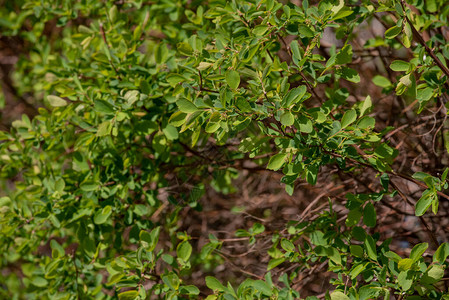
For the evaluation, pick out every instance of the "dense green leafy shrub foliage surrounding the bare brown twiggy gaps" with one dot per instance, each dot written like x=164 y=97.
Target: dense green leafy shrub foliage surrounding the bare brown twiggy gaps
x=142 y=107
